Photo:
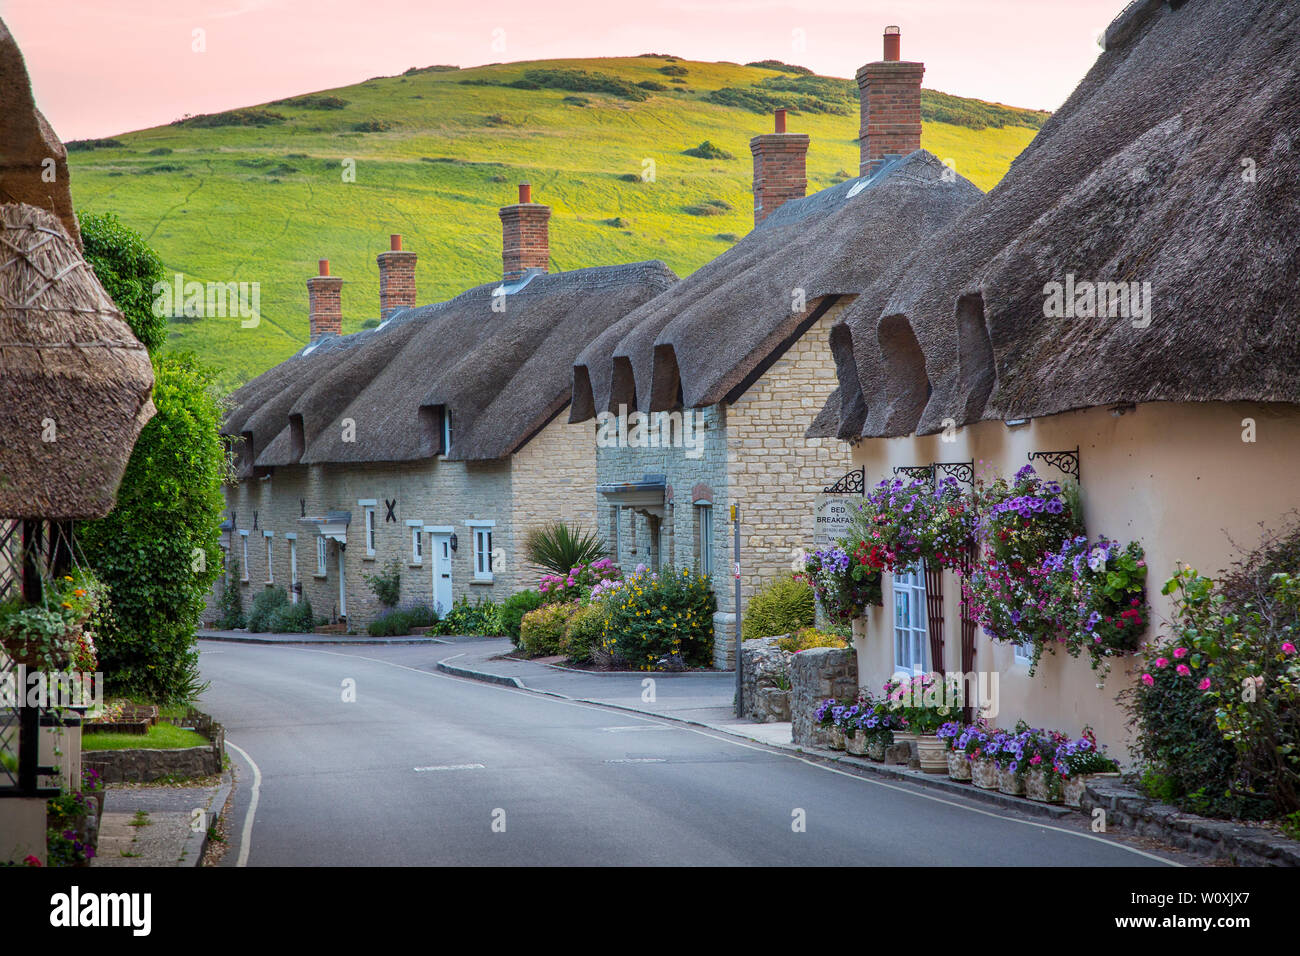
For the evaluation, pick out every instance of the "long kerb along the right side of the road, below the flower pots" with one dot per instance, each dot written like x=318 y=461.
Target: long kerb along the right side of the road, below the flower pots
x=830 y=758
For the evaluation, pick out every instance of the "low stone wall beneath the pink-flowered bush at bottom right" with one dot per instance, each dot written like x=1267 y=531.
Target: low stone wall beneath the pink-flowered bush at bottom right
x=1221 y=840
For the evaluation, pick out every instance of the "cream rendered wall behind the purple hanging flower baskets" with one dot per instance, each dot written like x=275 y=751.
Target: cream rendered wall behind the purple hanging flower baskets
x=1177 y=478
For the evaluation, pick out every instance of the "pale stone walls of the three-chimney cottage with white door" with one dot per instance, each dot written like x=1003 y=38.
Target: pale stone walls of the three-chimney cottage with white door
x=553 y=475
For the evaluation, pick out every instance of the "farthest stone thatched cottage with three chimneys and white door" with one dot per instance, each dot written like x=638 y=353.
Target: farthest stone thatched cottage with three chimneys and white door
x=436 y=438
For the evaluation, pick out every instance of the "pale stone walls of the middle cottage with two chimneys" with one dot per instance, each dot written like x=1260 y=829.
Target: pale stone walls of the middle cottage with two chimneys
x=756 y=455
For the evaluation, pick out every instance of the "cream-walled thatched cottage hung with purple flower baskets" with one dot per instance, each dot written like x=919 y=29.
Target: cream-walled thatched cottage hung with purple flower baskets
x=1171 y=180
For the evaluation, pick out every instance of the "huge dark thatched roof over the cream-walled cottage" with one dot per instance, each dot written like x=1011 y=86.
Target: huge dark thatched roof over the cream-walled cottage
x=1173 y=163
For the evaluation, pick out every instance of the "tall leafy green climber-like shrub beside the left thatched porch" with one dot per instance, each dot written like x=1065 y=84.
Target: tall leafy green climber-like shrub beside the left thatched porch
x=158 y=550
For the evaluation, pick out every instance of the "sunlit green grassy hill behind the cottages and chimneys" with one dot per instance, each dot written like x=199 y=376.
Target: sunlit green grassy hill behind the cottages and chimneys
x=259 y=194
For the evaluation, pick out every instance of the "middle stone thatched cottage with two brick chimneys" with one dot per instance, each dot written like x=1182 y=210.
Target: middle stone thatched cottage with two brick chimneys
x=703 y=396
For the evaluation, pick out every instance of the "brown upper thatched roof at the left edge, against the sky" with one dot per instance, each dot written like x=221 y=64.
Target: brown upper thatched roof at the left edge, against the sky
x=28 y=145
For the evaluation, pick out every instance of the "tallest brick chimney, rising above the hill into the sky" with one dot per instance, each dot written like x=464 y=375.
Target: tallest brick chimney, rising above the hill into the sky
x=890 y=93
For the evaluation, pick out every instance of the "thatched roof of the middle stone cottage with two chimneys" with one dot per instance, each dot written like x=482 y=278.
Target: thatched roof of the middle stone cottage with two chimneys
x=713 y=332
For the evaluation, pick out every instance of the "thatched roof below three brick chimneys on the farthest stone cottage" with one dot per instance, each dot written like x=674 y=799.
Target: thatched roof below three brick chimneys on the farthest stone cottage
x=502 y=374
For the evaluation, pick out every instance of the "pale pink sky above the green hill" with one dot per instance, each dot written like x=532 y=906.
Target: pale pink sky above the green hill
x=105 y=67
